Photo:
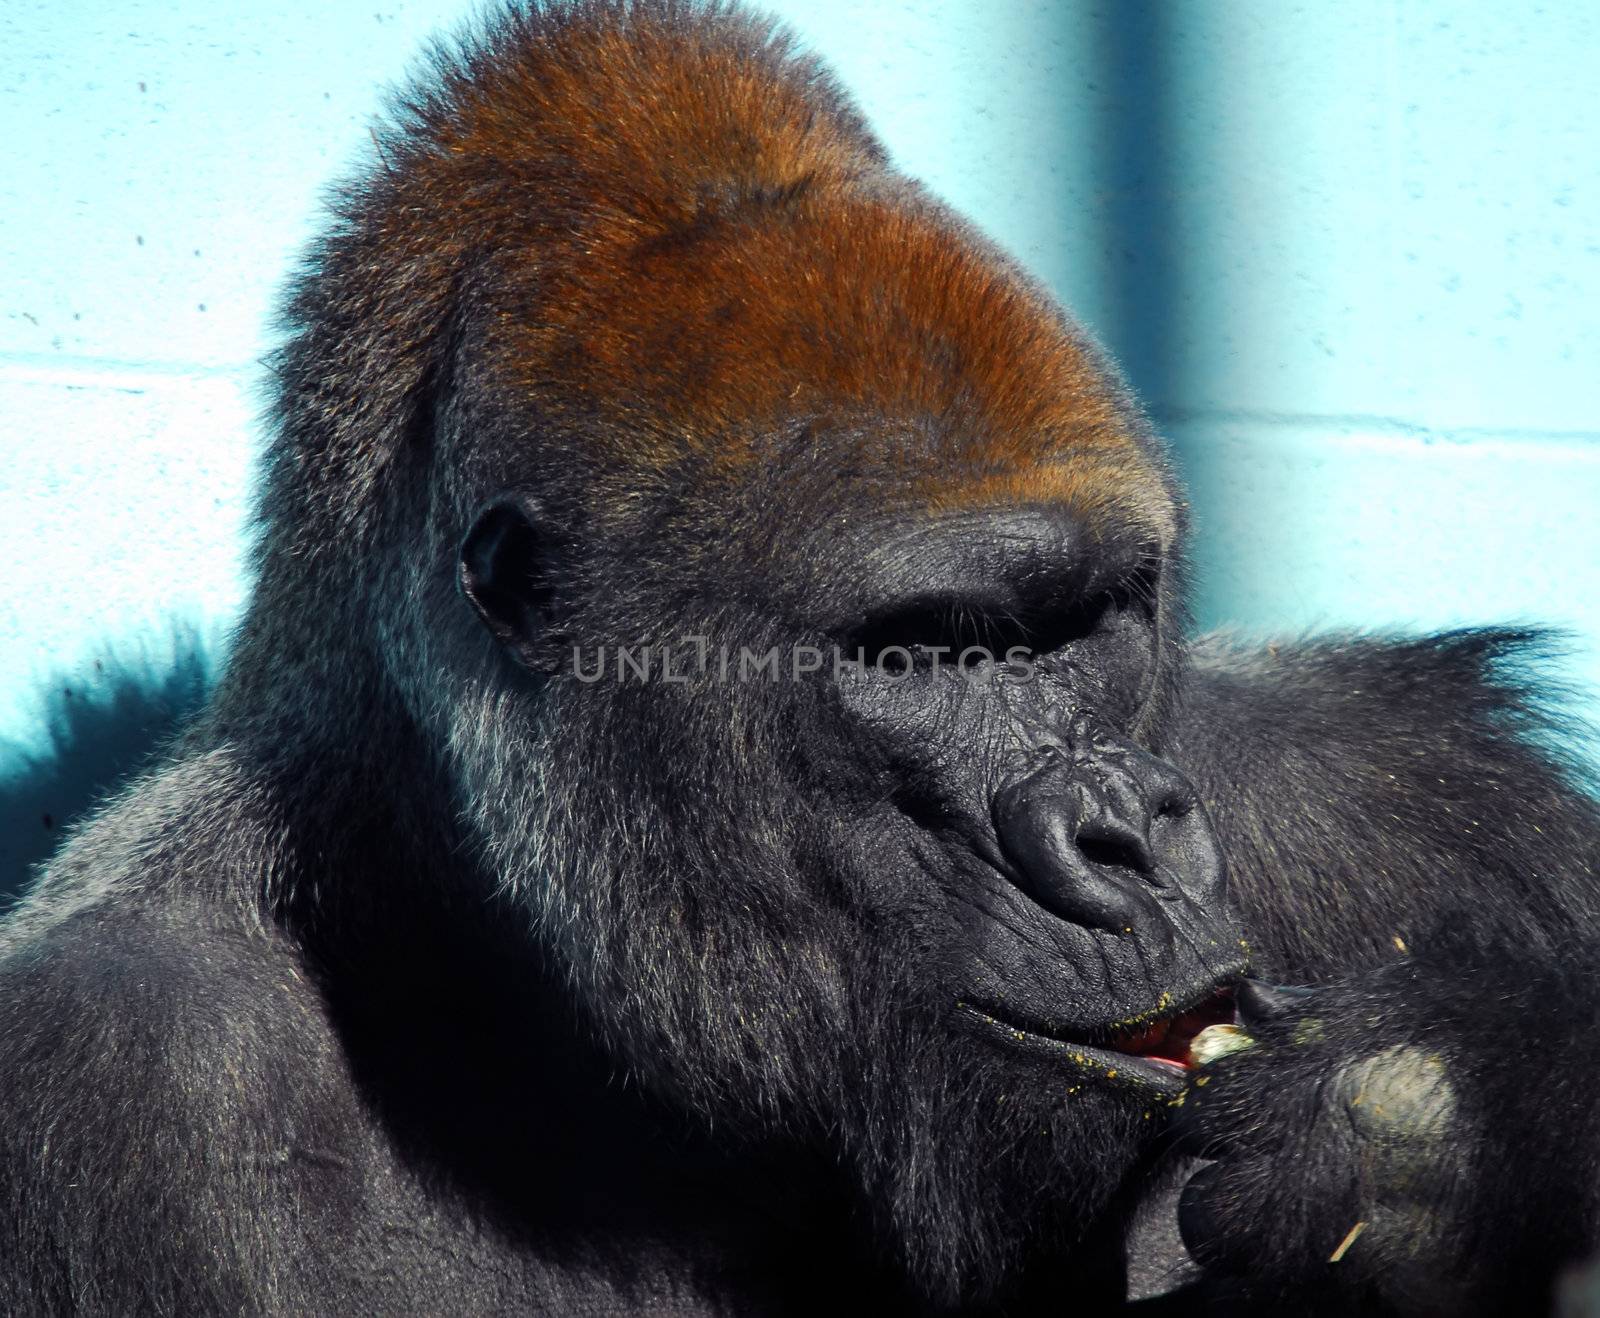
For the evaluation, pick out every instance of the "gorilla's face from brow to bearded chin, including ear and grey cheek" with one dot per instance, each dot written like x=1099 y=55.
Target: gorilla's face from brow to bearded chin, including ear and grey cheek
x=934 y=893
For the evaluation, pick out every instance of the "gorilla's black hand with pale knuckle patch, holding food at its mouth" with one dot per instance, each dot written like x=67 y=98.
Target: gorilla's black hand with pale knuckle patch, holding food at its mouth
x=1353 y=1157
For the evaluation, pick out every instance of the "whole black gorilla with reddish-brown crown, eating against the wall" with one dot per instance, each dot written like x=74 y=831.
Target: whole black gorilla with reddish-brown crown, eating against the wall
x=714 y=805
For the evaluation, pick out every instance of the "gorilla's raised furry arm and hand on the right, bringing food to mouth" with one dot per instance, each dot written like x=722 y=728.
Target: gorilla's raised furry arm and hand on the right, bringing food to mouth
x=1422 y=1132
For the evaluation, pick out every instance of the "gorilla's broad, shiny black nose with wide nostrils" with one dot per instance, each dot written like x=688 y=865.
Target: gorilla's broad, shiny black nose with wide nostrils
x=1095 y=837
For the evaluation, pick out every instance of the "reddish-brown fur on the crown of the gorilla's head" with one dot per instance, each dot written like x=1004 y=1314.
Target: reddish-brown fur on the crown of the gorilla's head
x=695 y=239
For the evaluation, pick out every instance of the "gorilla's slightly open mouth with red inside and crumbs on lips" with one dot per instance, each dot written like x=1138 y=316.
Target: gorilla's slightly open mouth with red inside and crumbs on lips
x=1153 y=1052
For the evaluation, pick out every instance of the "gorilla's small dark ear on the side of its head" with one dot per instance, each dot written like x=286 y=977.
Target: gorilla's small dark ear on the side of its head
x=508 y=575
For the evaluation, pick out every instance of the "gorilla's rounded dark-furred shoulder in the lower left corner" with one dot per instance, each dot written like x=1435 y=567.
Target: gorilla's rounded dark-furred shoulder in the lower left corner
x=175 y=1122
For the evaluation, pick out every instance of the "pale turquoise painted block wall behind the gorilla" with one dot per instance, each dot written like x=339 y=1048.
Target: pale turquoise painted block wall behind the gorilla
x=1350 y=254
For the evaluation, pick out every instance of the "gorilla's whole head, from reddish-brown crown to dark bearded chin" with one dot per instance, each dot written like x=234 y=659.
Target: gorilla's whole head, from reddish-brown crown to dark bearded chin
x=791 y=597
